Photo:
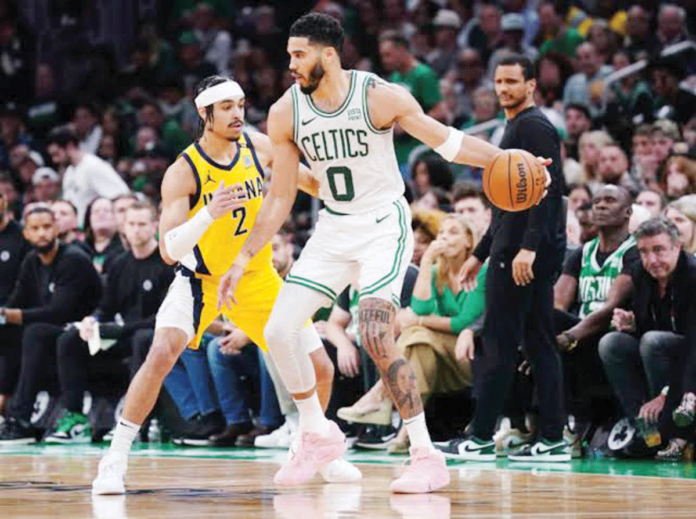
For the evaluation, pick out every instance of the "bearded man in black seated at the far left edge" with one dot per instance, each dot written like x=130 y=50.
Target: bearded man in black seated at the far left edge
x=57 y=285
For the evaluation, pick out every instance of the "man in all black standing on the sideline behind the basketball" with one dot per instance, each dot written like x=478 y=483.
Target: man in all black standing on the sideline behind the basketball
x=525 y=254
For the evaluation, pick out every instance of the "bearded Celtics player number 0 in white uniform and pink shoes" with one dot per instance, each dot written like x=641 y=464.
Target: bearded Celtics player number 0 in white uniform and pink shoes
x=342 y=122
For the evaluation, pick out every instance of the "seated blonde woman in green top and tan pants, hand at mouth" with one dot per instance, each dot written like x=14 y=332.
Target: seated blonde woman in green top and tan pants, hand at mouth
x=440 y=311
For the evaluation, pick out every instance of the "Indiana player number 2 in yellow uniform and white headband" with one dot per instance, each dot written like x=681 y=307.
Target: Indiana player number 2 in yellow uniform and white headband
x=210 y=199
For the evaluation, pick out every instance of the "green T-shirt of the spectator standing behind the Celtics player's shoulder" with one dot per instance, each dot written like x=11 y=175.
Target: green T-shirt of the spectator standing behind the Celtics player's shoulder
x=423 y=84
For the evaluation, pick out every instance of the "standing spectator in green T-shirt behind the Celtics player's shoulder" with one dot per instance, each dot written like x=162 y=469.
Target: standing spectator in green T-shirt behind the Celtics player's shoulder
x=418 y=78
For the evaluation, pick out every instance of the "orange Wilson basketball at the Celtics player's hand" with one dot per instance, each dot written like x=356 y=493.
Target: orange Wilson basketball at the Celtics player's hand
x=514 y=181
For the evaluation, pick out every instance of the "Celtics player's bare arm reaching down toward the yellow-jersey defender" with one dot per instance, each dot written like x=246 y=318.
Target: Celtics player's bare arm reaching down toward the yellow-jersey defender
x=278 y=201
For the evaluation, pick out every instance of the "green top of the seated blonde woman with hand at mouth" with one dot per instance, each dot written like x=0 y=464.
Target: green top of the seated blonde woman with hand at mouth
x=463 y=308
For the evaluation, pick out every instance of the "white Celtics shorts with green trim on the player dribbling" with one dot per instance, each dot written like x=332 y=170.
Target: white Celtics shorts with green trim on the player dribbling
x=374 y=249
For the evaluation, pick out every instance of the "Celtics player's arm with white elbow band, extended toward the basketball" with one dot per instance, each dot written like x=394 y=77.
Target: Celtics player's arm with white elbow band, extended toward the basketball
x=389 y=103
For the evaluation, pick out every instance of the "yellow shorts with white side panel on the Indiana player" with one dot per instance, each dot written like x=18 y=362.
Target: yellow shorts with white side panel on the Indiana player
x=191 y=304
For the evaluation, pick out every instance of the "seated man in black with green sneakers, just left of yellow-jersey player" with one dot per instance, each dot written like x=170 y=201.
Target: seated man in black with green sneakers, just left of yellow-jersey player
x=137 y=283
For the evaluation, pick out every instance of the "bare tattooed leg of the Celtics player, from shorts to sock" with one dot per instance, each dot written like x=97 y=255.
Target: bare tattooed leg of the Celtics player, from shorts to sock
x=376 y=318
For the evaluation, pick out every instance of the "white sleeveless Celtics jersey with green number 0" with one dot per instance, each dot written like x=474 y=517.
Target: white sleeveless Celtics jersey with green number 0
x=354 y=162
